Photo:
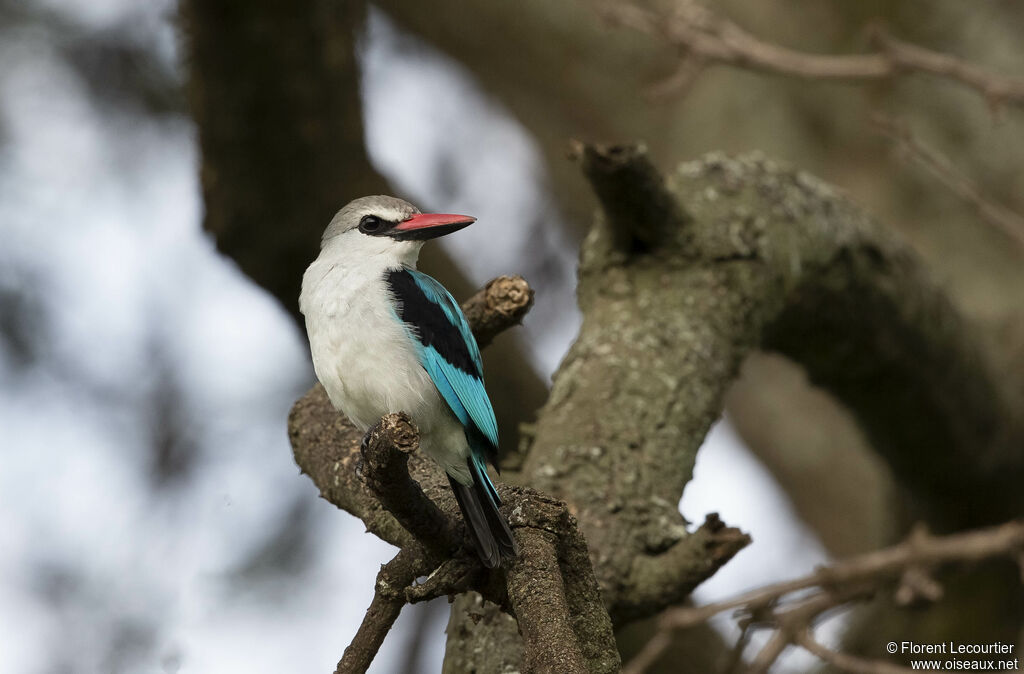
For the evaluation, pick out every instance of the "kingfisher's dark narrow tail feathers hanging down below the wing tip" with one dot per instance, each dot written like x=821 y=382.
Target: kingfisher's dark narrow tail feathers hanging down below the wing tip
x=490 y=531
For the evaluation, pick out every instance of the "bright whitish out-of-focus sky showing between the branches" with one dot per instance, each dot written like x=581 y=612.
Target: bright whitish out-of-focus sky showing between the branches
x=125 y=300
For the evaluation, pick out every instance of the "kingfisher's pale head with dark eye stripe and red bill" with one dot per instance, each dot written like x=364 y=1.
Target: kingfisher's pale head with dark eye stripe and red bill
x=387 y=227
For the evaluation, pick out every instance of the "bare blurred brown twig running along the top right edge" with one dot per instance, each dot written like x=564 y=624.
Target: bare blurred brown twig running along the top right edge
x=707 y=38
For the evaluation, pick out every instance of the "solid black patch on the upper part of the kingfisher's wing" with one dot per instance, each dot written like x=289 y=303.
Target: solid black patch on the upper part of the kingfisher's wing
x=431 y=321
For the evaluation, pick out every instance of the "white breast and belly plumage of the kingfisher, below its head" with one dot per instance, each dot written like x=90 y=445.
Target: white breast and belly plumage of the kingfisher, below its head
x=364 y=356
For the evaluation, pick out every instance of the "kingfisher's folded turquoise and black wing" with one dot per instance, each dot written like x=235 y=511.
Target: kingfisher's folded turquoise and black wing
x=448 y=349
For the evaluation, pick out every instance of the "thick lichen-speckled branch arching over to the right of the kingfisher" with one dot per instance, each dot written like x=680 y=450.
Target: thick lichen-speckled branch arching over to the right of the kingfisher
x=776 y=260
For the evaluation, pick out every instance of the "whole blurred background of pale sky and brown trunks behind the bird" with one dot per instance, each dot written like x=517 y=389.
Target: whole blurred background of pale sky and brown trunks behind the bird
x=165 y=174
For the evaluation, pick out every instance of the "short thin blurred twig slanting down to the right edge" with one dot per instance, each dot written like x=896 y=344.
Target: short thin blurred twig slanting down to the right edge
x=943 y=170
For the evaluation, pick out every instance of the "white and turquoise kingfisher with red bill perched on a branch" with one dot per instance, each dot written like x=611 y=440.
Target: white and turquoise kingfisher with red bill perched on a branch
x=388 y=339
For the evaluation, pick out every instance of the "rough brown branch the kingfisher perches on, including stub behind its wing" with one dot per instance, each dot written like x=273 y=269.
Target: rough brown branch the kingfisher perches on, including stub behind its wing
x=404 y=498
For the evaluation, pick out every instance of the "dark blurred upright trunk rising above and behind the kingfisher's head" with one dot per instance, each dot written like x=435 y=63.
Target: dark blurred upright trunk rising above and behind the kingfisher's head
x=275 y=93
